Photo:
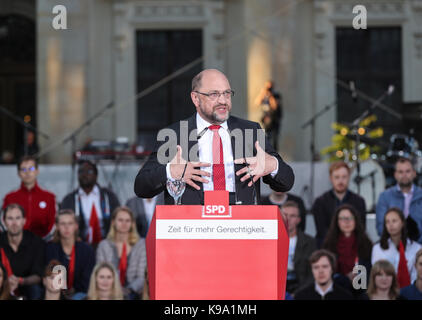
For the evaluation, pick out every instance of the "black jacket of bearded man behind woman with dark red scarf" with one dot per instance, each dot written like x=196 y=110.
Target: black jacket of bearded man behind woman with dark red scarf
x=324 y=207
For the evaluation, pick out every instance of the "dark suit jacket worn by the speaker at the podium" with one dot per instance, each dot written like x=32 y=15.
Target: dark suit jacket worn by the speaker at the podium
x=151 y=179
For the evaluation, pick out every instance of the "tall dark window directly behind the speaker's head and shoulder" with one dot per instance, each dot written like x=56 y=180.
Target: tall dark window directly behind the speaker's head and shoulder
x=160 y=53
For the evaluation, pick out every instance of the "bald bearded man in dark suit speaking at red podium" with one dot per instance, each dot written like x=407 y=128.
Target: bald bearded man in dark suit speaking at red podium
x=234 y=150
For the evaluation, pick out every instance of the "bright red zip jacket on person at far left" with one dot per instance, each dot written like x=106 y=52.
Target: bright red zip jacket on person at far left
x=39 y=206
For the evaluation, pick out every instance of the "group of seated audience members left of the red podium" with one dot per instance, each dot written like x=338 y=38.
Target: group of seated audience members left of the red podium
x=98 y=244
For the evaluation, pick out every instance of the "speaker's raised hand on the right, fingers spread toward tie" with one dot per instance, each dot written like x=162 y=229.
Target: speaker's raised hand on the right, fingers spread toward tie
x=258 y=166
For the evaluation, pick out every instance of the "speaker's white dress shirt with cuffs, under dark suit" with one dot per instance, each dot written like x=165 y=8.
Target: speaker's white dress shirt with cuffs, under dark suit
x=206 y=155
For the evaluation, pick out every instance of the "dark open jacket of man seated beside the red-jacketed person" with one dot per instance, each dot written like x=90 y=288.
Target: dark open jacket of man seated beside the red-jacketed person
x=109 y=202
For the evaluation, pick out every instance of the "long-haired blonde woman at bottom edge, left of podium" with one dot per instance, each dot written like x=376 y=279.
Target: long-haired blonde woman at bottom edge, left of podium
x=104 y=283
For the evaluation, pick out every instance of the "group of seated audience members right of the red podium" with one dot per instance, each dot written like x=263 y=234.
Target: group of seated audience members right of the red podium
x=341 y=262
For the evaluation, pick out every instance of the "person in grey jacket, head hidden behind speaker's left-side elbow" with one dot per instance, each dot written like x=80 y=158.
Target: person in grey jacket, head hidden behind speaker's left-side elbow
x=143 y=210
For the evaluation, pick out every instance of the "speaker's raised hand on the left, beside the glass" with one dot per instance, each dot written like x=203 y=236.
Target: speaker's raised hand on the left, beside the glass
x=177 y=166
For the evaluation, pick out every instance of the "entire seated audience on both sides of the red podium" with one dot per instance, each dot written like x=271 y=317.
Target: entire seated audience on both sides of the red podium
x=100 y=245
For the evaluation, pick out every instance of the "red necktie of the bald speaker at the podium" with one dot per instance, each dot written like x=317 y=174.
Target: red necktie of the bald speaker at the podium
x=218 y=160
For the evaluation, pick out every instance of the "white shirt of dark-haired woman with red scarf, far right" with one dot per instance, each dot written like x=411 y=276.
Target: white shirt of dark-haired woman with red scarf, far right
x=392 y=254
